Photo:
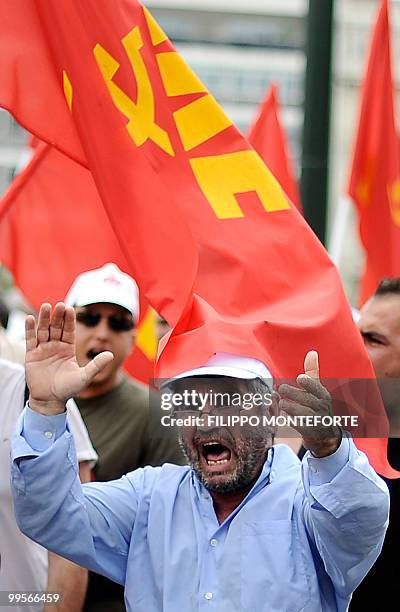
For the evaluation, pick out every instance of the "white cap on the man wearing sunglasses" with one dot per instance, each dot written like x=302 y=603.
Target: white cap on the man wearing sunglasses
x=105 y=285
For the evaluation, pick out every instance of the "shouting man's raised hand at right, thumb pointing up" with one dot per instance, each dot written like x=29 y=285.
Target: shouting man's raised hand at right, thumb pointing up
x=310 y=400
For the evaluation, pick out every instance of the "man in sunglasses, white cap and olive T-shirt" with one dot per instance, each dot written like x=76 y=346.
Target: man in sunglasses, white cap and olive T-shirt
x=114 y=406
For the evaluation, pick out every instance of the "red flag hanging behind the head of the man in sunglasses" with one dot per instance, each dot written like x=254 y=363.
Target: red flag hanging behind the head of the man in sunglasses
x=53 y=227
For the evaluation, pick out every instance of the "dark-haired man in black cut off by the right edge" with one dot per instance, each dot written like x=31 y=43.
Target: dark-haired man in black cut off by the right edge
x=379 y=324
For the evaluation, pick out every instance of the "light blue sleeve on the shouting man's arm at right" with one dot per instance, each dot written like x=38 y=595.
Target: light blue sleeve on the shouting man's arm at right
x=346 y=513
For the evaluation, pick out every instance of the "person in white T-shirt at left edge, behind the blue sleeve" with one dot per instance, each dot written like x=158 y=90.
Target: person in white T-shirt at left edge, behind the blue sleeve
x=25 y=565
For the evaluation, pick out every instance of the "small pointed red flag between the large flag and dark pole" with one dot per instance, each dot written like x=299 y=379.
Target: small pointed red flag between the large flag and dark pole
x=268 y=138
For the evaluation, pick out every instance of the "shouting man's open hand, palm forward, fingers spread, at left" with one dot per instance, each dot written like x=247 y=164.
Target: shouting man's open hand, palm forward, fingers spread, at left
x=52 y=372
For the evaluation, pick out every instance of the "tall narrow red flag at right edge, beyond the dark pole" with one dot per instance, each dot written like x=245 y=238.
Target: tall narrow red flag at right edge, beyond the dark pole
x=375 y=174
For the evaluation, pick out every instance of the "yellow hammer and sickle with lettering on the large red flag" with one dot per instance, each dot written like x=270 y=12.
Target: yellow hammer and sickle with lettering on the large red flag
x=220 y=176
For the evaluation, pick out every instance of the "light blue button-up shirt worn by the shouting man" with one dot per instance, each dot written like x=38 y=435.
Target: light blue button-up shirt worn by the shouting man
x=302 y=539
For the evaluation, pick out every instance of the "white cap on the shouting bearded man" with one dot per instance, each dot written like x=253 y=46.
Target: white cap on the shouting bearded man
x=234 y=366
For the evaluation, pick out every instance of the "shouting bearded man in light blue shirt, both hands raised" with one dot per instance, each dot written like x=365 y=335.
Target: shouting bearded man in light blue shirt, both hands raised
x=245 y=526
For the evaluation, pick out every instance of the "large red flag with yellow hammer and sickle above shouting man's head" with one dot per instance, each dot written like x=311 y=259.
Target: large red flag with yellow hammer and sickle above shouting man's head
x=264 y=286
